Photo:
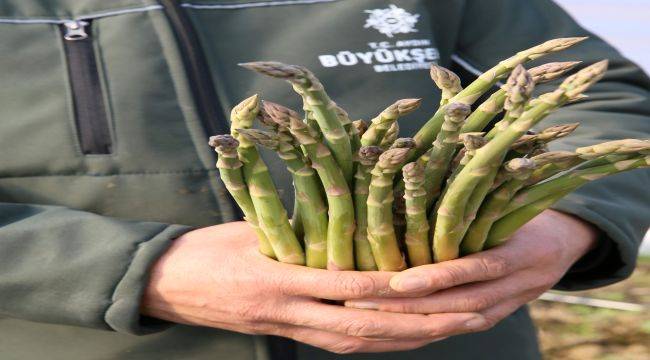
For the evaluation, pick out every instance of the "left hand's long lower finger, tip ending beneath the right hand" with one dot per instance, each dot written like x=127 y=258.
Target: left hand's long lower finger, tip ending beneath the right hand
x=375 y=324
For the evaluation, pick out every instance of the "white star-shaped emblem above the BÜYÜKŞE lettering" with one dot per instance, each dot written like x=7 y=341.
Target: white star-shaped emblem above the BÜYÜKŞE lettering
x=391 y=21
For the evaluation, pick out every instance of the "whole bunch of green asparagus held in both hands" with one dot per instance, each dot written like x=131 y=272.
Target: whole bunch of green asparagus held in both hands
x=368 y=200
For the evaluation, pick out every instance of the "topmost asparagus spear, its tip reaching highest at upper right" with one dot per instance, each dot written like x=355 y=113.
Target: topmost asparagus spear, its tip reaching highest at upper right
x=483 y=83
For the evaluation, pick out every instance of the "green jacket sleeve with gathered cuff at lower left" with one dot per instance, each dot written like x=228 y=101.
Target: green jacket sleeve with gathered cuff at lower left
x=64 y=266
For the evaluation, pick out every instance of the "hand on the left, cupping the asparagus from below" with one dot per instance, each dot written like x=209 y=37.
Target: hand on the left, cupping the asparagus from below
x=216 y=277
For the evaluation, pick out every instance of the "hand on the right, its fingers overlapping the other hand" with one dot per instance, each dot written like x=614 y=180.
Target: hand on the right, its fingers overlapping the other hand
x=495 y=282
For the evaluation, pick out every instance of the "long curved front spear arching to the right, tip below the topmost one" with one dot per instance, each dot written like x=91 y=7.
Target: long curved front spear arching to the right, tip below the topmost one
x=450 y=224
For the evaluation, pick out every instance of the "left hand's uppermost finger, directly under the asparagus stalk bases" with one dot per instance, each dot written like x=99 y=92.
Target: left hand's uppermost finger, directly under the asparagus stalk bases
x=332 y=285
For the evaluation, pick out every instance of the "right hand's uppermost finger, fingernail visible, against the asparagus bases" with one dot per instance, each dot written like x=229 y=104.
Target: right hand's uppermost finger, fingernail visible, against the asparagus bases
x=487 y=265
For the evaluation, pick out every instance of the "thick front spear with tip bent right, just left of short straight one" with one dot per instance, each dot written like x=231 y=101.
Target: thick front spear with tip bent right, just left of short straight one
x=381 y=232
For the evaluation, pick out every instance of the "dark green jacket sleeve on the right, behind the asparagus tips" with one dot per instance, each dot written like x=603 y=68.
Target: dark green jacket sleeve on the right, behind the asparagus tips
x=618 y=107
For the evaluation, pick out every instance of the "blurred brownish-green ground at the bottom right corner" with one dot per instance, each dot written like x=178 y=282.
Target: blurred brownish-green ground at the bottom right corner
x=577 y=332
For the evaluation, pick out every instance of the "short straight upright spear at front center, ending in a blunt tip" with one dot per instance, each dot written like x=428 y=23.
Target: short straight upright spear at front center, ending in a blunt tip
x=417 y=226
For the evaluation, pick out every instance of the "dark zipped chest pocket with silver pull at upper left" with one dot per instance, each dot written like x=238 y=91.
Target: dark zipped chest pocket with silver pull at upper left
x=87 y=96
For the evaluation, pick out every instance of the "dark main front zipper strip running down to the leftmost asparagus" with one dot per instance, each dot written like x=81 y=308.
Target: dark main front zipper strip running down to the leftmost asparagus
x=207 y=103
